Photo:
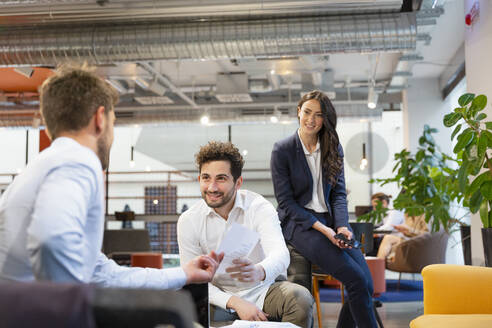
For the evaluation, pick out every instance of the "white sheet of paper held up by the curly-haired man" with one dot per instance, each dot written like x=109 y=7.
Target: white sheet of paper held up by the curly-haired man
x=238 y=242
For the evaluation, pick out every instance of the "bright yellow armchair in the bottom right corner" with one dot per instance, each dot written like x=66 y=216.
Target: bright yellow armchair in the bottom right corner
x=456 y=296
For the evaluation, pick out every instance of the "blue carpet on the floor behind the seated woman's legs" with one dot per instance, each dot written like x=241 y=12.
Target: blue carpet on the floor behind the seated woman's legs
x=410 y=291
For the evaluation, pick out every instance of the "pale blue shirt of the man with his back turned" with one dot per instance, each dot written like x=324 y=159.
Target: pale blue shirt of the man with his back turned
x=52 y=223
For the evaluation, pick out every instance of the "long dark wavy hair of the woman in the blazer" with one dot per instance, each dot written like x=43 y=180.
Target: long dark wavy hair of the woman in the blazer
x=331 y=161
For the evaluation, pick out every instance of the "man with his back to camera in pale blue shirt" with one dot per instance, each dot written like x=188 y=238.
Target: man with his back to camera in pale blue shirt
x=52 y=215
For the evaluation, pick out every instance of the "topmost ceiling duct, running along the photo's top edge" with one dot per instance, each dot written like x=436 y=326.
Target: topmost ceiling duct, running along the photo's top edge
x=56 y=11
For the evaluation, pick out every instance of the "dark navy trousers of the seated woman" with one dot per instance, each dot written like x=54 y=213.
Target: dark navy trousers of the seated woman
x=346 y=265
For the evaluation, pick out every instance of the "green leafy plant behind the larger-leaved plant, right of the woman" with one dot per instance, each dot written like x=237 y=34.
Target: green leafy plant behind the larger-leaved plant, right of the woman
x=429 y=184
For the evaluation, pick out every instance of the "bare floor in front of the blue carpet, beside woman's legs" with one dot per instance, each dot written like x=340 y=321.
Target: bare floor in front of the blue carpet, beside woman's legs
x=393 y=315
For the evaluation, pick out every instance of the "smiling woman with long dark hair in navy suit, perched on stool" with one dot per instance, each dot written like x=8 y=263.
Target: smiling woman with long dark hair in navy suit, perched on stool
x=309 y=184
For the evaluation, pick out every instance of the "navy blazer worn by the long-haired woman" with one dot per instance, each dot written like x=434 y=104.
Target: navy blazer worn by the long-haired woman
x=293 y=187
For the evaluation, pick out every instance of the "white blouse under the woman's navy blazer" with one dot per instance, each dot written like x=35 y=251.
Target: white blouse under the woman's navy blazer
x=317 y=202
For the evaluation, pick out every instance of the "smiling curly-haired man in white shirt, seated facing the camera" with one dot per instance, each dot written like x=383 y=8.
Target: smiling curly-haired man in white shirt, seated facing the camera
x=201 y=228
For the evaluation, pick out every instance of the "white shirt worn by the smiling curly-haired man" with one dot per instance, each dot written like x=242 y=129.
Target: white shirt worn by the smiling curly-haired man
x=200 y=231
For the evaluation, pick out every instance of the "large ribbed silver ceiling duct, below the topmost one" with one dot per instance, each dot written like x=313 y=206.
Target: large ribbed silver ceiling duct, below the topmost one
x=269 y=37
